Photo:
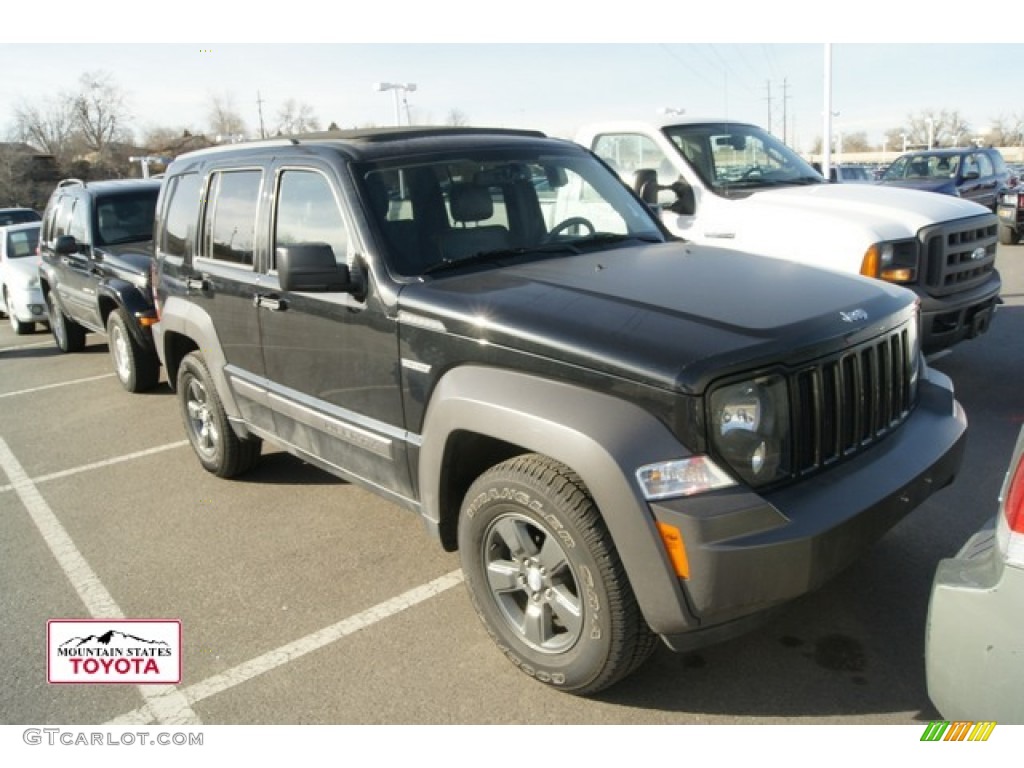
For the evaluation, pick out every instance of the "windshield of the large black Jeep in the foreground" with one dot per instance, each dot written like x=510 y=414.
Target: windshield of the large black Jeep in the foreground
x=493 y=206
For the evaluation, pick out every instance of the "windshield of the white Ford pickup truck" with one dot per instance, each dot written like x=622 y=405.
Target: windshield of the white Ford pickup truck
x=735 y=158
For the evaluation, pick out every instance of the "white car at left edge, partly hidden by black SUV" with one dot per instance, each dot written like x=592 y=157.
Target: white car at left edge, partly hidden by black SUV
x=23 y=302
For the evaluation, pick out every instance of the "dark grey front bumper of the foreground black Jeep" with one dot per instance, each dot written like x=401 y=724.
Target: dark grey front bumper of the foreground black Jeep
x=749 y=552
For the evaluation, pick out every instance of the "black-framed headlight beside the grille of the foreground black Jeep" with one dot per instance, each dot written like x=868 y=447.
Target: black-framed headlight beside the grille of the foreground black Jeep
x=750 y=425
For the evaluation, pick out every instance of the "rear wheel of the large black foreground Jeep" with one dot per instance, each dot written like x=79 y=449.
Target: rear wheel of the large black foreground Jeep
x=220 y=450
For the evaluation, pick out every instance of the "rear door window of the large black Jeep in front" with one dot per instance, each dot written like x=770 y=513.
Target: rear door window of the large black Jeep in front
x=230 y=231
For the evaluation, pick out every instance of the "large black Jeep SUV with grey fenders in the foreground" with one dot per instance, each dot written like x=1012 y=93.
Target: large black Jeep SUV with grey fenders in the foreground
x=626 y=437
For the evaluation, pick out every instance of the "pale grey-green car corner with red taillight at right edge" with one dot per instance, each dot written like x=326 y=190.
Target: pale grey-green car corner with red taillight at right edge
x=974 y=643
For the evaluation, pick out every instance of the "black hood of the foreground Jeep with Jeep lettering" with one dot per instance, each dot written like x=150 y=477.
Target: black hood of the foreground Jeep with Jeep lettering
x=671 y=316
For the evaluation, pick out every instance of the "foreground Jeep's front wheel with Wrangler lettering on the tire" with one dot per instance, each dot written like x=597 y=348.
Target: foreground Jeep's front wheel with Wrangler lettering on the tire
x=546 y=580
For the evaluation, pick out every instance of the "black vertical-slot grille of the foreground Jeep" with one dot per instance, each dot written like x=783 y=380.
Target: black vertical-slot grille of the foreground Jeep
x=845 y=404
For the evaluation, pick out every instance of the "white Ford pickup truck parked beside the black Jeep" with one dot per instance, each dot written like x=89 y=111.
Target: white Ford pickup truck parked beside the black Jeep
x=736 y=186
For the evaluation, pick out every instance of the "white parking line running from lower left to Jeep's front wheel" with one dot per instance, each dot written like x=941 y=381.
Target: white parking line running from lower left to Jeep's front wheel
x=280 y=657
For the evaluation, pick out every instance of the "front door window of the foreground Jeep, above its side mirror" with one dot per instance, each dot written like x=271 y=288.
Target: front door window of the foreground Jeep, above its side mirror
x=308 y=212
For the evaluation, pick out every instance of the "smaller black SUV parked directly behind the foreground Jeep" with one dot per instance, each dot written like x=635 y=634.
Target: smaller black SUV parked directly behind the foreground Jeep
x=96 y=269
